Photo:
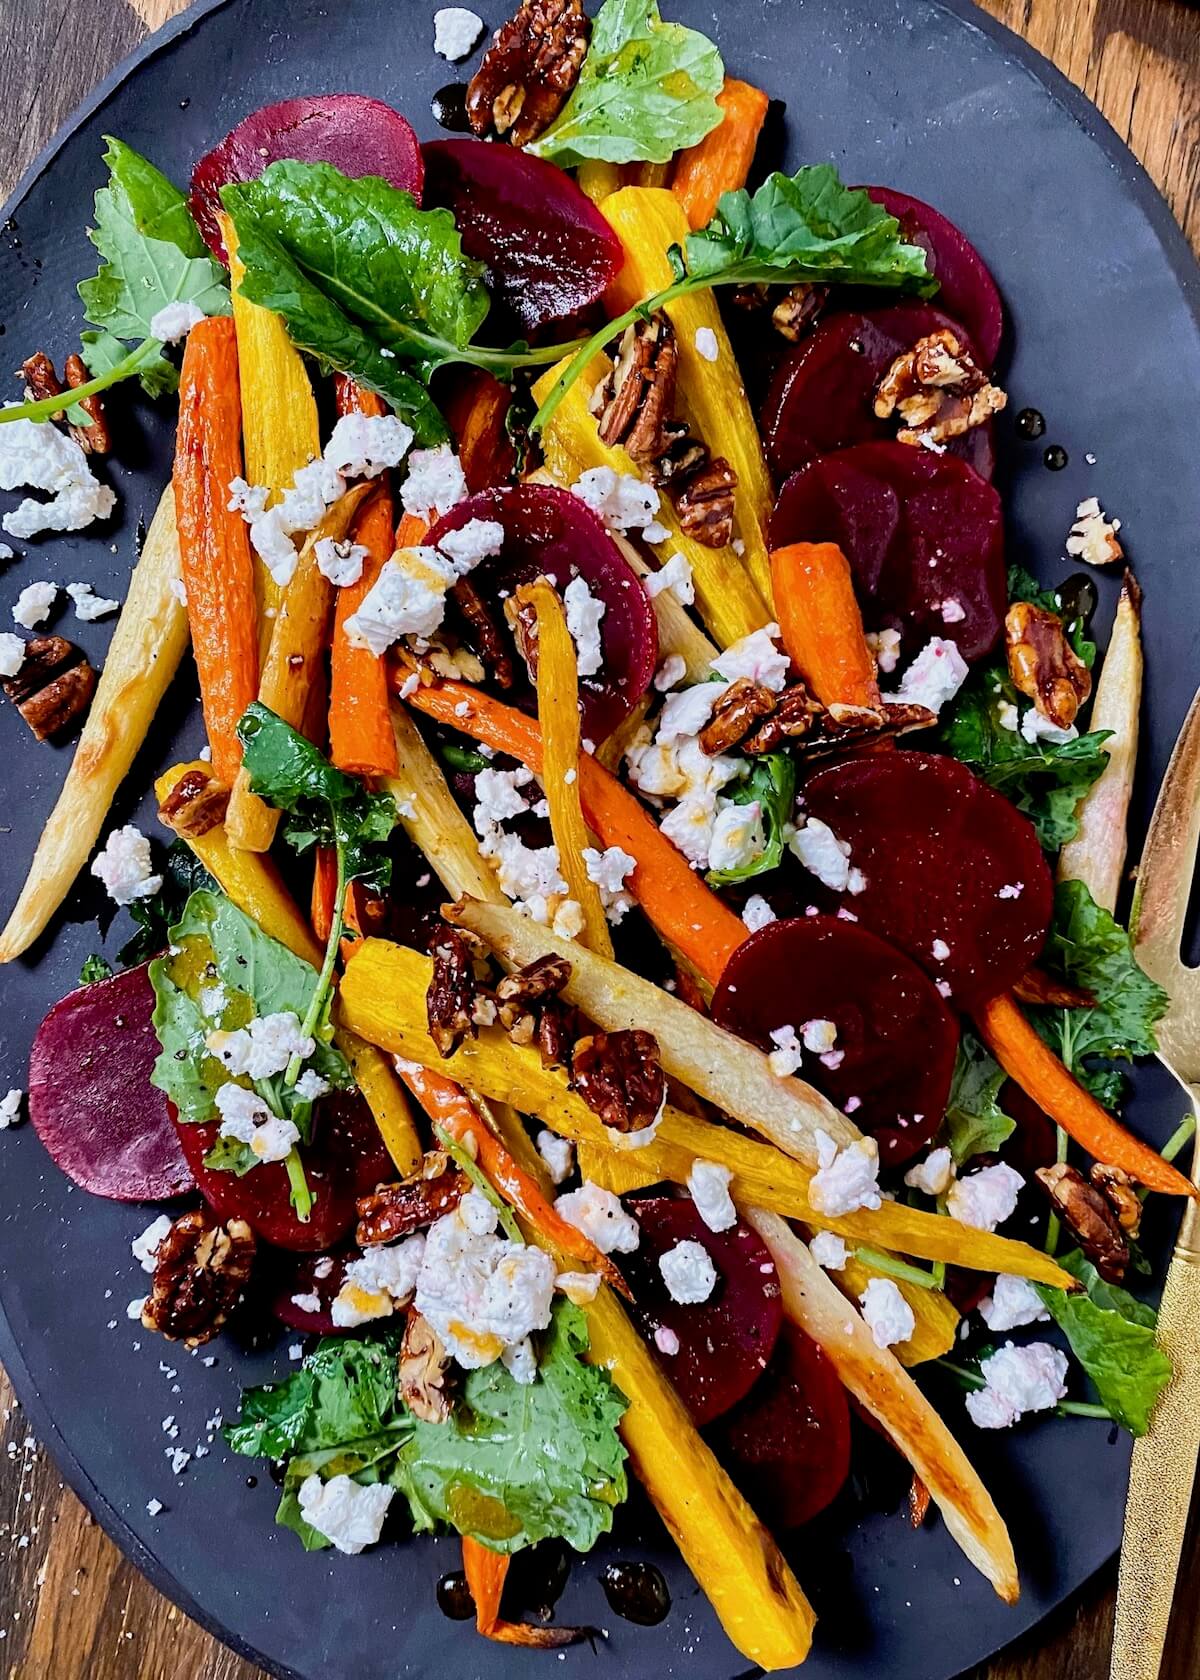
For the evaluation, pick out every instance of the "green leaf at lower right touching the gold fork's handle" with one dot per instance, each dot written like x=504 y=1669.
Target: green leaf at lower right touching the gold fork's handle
x=1112 y=1335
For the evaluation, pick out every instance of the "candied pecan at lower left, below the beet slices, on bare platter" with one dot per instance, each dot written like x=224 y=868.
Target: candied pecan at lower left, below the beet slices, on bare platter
x=201 y=1273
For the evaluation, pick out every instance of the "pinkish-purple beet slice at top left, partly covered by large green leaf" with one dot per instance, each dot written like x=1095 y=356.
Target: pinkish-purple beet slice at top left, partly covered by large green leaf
x=357 y=135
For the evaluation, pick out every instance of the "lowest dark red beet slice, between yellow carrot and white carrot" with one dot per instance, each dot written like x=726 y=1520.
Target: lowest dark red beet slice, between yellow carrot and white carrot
x=787 y=1446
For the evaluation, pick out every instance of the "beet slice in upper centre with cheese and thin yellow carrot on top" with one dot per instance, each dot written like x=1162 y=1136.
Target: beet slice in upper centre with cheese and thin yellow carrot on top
x=555 y=535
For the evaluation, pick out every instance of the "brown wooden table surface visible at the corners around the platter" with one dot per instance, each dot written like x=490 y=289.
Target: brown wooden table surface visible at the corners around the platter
x=71 y=1609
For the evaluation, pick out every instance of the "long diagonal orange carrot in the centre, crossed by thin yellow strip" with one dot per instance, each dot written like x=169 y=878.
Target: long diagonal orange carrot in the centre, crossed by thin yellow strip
x=678 y=903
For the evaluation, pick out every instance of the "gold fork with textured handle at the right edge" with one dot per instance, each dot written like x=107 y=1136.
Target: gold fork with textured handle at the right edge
x=1166 y=1461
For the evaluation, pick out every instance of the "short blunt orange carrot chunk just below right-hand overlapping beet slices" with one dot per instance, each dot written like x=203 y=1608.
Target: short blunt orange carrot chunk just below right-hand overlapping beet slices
x=823 y=626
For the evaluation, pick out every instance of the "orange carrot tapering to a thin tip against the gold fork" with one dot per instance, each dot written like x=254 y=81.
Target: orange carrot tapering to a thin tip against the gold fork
x=1041 y=1076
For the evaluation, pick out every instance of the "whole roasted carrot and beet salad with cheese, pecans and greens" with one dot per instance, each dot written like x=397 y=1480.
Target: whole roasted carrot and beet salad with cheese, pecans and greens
x=633 y=984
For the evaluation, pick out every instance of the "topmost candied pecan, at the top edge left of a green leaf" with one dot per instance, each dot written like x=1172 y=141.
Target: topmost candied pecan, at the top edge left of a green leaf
x=530 y=70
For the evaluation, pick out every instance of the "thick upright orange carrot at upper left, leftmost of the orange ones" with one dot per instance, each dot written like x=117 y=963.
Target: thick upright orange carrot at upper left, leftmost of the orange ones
x=214 y=545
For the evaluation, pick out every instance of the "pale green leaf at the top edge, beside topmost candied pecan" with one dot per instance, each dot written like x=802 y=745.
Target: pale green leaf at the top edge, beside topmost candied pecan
x=646 y=92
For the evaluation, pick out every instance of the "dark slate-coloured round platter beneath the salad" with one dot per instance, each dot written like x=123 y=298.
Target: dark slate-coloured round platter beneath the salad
x=1105 y=302
